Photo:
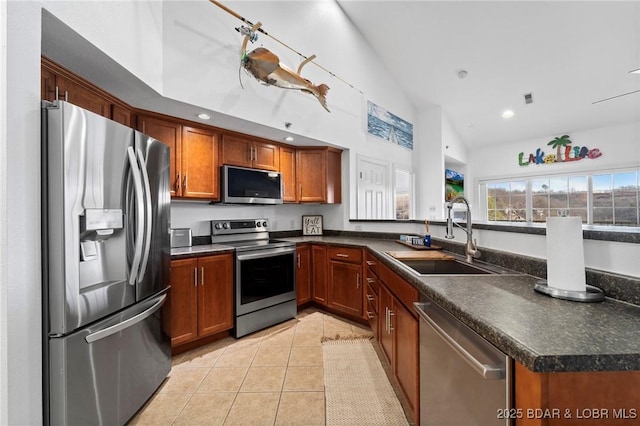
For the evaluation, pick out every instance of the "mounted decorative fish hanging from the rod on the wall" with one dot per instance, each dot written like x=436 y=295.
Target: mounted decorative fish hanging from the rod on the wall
x=265 y=66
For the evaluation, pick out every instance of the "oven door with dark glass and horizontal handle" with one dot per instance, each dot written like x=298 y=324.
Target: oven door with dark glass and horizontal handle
x=264 y=277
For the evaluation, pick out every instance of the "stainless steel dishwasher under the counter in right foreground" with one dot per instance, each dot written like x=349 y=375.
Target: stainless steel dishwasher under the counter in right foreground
x=464 y=380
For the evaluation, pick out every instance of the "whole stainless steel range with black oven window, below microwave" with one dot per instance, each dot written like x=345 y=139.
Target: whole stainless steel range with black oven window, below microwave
x=265 y=282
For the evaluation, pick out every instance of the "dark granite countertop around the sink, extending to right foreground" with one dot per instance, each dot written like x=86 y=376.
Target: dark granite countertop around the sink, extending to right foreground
x=542 y=333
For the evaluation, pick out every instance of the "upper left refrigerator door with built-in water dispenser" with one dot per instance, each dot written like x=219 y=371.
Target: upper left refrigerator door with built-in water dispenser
x=86 y=171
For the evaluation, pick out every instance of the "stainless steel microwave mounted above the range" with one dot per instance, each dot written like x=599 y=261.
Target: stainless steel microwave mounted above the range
x=241 y=185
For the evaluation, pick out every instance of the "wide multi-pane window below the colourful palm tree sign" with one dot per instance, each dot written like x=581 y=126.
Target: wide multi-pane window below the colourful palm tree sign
x=599 y=199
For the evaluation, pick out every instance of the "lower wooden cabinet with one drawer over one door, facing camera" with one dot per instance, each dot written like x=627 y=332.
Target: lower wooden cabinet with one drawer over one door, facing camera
x=345 y=280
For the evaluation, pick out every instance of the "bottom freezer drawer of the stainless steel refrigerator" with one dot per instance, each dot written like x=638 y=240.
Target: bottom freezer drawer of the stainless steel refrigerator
x=103 y=374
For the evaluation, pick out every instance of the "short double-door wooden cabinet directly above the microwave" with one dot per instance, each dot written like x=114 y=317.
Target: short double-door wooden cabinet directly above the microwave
x=247 y=152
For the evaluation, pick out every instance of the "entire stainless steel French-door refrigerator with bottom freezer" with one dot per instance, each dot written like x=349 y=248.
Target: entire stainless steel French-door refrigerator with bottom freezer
x=106 y=263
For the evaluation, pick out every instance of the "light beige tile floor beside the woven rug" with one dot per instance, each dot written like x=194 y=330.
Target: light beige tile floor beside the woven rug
x=271 y=377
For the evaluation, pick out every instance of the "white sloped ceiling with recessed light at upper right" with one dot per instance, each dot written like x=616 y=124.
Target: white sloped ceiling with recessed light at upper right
x=568 y=54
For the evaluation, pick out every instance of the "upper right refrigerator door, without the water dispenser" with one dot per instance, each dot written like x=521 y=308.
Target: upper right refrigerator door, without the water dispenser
x=155 y=262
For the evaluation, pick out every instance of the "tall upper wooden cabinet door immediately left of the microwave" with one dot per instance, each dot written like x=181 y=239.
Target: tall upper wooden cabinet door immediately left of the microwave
x=199 y=164
